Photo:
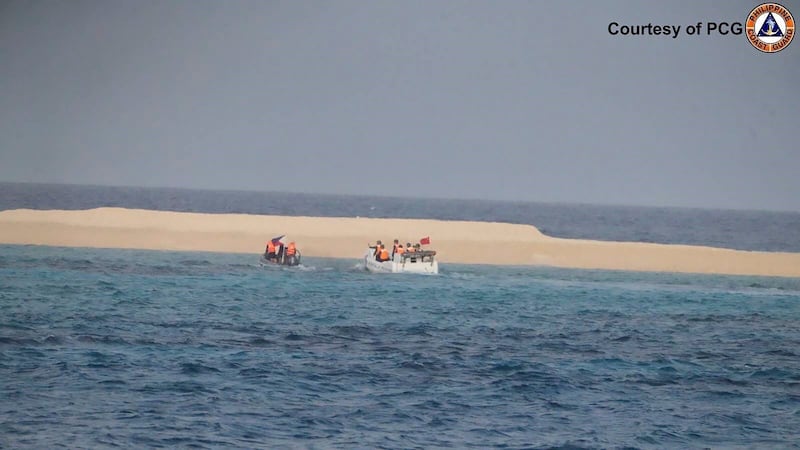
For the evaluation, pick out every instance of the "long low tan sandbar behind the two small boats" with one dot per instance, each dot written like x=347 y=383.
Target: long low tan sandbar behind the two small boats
x=455 y=241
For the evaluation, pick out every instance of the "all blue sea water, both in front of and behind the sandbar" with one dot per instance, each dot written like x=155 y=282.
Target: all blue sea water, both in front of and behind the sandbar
x=109 y=348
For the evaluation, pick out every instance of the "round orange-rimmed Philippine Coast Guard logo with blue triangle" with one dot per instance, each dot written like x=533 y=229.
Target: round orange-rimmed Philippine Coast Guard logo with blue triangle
x=770 y=27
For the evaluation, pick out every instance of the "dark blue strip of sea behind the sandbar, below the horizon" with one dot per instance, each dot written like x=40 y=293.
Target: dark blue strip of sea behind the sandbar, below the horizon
x=745 y=230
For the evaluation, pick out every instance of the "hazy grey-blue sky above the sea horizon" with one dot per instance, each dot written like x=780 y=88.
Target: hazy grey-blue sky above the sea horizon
x=499 y=100
